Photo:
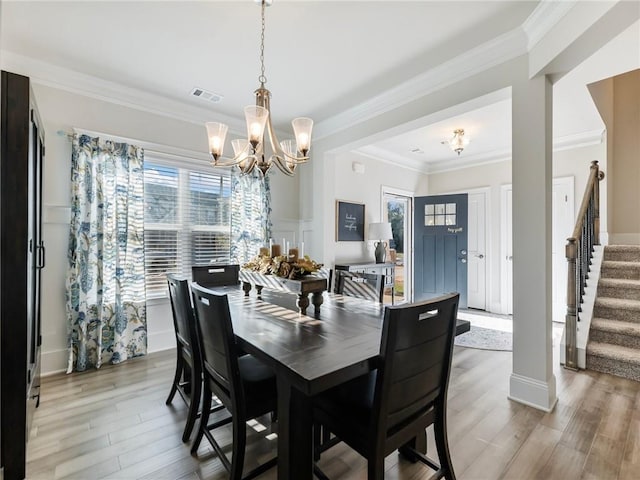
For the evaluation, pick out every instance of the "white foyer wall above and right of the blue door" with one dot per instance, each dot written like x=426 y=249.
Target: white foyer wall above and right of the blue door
x=566 y=163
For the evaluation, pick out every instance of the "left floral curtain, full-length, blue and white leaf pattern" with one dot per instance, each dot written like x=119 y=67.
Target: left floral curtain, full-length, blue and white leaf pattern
x=106 y=306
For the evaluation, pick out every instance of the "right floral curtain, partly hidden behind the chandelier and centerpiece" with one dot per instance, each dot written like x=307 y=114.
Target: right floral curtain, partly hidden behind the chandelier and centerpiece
x=250 y=215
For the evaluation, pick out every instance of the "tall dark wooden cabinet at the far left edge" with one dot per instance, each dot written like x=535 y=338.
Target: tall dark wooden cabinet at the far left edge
x=21 y=248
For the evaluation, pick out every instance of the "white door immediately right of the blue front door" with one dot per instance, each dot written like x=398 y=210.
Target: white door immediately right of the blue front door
x=476 y=243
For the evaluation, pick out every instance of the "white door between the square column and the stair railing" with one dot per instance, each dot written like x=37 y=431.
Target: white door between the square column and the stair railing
x=563 y=221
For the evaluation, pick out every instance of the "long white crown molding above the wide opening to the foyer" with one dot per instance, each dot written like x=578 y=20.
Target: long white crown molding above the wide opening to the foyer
x=484 y=57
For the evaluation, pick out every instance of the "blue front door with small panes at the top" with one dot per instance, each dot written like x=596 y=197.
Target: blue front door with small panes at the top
x=440 y=245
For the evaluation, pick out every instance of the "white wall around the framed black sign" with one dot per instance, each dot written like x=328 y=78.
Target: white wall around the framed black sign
x=366 y=188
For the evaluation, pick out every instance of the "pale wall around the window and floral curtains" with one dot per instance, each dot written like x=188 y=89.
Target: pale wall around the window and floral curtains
x=62 y=110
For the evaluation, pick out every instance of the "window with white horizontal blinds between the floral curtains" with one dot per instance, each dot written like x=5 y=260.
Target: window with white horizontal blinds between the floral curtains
x=187 y=221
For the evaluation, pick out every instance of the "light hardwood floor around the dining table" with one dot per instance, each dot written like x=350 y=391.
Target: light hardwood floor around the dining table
x=113 y=423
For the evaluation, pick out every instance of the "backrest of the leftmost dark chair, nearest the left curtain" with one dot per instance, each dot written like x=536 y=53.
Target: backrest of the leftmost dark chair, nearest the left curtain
x=184 y=321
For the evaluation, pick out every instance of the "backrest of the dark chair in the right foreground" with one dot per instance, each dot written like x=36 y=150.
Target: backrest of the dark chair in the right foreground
x=415 y=352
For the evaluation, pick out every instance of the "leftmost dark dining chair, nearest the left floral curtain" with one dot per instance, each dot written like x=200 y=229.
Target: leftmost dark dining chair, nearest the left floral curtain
x=187 y=380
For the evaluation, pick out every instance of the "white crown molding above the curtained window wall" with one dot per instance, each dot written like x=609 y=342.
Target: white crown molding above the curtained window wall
x=49 y=75
